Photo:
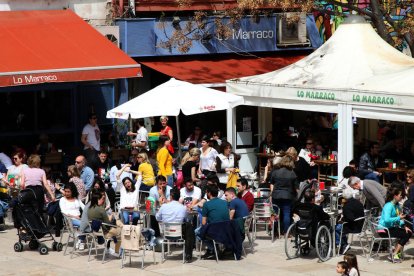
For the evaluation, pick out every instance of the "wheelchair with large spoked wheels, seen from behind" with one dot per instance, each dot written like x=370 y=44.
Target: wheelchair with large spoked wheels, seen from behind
x=300 y=237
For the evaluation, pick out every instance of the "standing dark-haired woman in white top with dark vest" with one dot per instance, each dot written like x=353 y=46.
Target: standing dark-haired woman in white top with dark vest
x=226 y=163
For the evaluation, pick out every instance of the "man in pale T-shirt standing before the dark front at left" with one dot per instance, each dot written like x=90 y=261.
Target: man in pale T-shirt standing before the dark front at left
x=91 y=138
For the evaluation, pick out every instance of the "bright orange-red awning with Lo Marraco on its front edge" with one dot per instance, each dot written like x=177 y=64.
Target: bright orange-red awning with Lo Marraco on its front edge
x=57 y=46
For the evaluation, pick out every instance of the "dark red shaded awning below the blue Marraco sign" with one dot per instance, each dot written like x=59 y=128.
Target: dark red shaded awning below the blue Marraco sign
x=216 y=70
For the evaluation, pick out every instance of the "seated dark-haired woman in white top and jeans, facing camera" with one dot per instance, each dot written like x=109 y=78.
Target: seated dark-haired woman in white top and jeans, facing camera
x=129 y=201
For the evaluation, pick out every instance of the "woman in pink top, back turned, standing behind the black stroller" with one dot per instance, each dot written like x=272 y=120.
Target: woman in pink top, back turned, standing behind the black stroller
x=34 y=178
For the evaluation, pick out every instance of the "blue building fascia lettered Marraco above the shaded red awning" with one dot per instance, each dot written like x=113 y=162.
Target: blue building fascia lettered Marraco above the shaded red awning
x=180 y=36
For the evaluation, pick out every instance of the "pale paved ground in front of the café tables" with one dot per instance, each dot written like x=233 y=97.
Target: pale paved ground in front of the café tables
x=268 y=259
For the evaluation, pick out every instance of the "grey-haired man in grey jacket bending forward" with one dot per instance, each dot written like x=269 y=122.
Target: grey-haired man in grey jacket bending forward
x=373 y=193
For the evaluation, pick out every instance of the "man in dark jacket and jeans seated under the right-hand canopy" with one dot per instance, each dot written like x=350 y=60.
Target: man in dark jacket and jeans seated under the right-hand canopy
x=369 y=162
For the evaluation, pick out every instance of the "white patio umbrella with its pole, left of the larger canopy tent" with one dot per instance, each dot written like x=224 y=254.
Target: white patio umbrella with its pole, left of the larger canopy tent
x=172 y=97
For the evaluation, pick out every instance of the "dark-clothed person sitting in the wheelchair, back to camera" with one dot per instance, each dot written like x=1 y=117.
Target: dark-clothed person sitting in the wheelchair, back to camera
x=308 y=216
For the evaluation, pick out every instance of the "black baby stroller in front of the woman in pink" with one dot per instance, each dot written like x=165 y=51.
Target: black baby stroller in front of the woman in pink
x=30 y=225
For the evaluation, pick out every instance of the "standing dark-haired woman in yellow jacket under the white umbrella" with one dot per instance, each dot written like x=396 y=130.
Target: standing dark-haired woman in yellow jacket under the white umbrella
x=164 y=160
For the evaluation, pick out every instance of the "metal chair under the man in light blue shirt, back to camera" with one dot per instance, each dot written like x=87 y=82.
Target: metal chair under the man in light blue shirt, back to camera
x=172 y=234
